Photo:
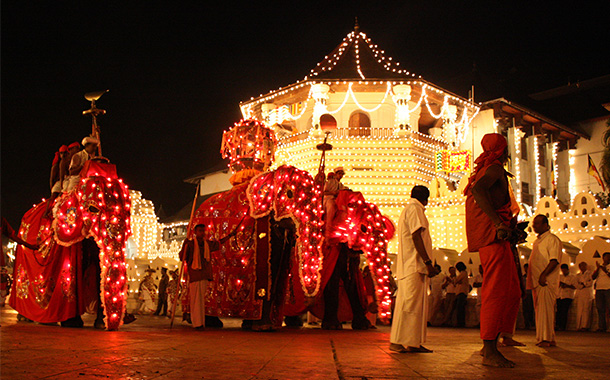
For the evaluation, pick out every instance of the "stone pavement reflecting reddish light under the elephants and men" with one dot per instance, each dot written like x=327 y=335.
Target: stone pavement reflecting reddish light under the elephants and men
x=147 y=349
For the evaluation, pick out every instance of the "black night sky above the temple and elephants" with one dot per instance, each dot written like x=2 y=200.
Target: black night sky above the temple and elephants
x=177 y=71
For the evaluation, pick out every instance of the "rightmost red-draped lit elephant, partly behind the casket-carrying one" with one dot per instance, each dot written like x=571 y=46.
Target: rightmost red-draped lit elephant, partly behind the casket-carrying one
x=357 y=229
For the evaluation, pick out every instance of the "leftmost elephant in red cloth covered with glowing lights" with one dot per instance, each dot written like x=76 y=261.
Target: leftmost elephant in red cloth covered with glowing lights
x=81 y=260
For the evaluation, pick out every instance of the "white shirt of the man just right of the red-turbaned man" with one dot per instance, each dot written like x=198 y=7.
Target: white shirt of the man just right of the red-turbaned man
x=547 y=247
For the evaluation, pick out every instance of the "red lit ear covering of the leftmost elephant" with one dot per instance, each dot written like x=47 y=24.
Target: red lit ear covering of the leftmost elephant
x=68 y=223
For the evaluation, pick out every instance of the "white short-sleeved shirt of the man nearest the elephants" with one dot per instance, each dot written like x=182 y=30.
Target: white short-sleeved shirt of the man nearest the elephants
x=412 y=219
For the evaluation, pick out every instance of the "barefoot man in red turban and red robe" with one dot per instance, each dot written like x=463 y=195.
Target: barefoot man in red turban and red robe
x=490 y=217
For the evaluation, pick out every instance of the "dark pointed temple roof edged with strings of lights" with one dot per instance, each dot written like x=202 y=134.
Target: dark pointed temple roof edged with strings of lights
x=357 y=58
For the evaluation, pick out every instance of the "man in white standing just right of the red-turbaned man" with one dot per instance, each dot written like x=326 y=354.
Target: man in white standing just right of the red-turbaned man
x=543 y=279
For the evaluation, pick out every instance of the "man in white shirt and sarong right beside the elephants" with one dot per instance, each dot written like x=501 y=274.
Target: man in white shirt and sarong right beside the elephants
x=413 y=270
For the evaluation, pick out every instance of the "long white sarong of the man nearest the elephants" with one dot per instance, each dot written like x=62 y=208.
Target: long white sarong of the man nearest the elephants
x=410 y=314
